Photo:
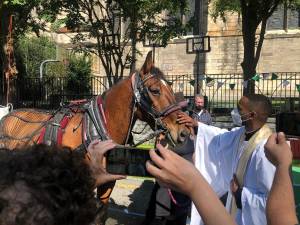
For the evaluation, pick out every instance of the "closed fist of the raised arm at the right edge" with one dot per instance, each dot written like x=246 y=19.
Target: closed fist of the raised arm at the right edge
x=278 y=151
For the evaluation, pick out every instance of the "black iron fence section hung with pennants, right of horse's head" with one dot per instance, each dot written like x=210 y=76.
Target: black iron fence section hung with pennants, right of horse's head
x=224 y=90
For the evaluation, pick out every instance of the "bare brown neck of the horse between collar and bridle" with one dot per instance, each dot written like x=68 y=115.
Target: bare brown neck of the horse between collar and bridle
x=118 y=110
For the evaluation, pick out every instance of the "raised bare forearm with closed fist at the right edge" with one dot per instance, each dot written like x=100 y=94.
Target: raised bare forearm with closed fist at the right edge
x=280 y=204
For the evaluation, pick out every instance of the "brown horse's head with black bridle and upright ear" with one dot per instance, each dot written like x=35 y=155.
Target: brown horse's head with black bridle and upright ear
x=156 y=102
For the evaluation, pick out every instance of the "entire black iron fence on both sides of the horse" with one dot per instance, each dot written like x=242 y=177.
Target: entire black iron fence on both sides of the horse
x=223 y=90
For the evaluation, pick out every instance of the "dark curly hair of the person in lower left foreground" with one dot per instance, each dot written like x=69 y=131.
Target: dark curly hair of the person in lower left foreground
x=45 y=185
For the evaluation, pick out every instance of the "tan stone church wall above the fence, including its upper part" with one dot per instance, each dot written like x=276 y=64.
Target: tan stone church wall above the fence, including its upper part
x=280 y=53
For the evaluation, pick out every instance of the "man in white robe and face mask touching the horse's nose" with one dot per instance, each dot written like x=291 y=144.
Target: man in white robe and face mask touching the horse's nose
x=234 y=161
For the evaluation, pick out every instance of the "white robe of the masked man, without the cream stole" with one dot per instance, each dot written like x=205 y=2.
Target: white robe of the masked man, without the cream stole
x=216 y=156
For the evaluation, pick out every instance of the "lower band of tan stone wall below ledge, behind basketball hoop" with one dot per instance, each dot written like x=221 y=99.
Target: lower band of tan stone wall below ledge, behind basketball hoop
x=280 y=53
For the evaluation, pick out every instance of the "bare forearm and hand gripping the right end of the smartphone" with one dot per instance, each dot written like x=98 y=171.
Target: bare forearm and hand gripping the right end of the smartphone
x=187 y=179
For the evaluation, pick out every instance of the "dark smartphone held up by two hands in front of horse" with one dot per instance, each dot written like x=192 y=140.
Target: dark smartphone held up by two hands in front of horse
x=128 y=161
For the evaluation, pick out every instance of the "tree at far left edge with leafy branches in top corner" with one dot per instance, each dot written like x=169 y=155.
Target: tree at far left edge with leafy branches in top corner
x=17 y=17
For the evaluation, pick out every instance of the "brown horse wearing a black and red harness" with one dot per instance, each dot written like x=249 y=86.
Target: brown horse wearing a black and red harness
x=145 y=95
